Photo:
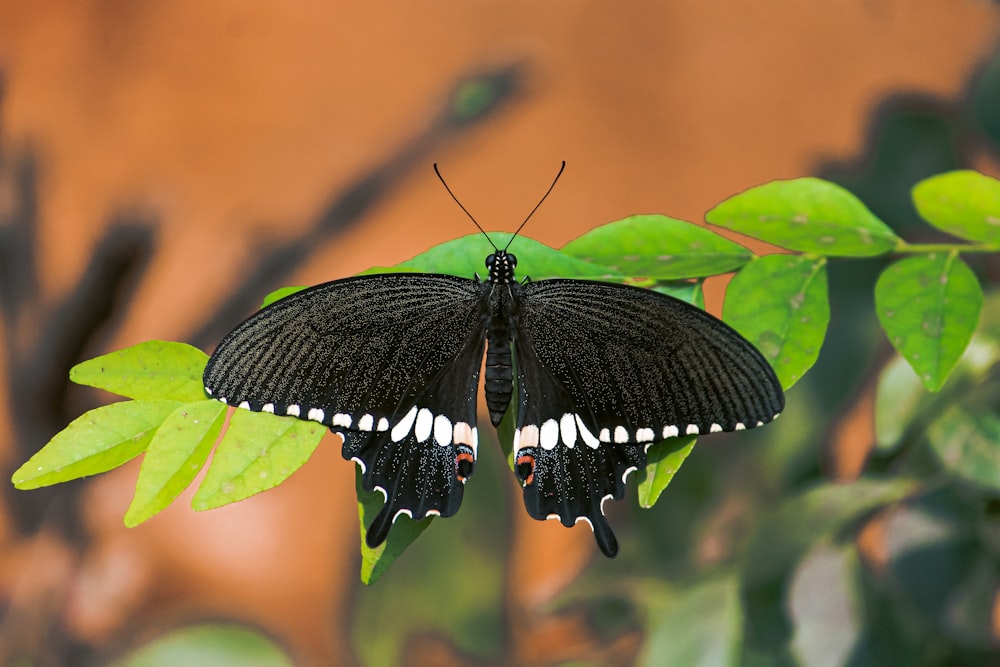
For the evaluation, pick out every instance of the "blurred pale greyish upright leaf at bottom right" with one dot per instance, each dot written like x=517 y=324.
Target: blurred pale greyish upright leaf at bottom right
x=824 y=603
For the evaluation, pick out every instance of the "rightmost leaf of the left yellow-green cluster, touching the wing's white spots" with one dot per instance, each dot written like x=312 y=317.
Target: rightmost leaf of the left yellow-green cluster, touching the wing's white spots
x=258 y=452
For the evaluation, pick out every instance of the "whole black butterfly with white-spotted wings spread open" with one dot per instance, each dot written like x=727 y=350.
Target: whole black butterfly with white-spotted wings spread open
x=392 y=363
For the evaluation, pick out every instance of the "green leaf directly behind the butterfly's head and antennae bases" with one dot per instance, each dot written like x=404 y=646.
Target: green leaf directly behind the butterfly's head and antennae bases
x=465 y=257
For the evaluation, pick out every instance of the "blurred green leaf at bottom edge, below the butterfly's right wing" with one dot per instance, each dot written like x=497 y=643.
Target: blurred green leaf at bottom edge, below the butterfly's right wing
x=700 y=628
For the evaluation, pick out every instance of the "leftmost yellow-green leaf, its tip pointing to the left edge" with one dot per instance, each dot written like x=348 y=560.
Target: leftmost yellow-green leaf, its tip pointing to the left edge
x=95 y=442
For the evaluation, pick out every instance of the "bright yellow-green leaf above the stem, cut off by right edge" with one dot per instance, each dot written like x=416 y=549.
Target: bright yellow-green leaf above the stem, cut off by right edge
x=965 y=204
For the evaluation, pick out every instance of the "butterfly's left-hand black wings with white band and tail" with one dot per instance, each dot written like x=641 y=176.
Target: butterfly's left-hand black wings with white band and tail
x=390 y=361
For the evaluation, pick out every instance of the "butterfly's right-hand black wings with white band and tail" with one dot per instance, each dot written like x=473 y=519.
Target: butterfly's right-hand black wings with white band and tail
x=606 y=370
